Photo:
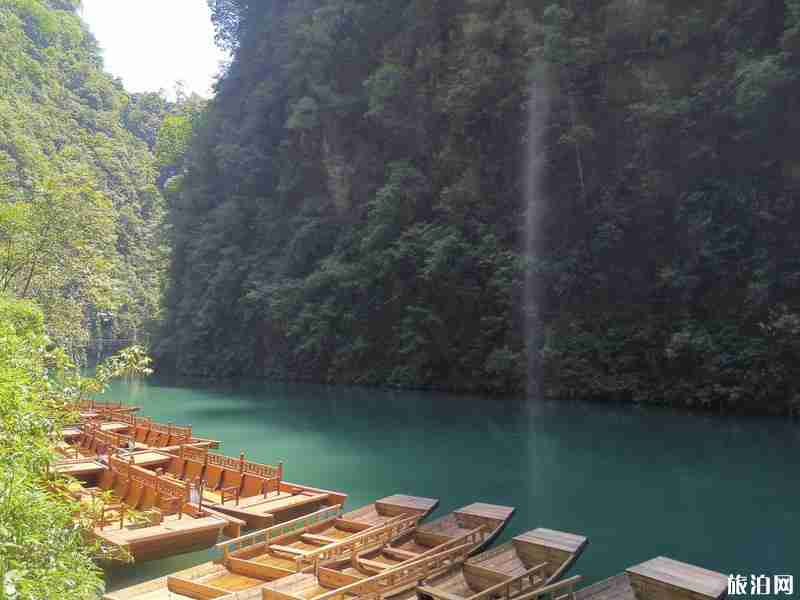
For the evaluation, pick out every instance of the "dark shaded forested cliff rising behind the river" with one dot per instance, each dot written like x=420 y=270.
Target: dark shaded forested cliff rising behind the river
x=352 y=206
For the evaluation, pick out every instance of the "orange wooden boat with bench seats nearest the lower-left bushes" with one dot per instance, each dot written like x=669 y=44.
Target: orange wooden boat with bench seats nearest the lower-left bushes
x=149 y=517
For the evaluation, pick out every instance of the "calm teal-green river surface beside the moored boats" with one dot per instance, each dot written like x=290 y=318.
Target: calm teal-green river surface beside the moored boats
x=720 y=492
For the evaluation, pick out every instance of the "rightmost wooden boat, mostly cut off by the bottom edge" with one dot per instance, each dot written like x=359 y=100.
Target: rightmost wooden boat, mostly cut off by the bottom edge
x=658 y=579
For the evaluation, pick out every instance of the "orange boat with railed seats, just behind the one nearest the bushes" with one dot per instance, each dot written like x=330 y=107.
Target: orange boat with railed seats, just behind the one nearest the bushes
x=253 y=492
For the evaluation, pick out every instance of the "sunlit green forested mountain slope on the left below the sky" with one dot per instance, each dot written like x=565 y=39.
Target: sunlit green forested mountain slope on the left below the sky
x=80 y=212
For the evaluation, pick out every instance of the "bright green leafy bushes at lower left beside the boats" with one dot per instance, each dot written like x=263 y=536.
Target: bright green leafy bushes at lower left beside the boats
x=42 y=553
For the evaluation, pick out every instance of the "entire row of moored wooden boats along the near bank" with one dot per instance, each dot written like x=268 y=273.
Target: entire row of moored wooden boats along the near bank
x=155 y=491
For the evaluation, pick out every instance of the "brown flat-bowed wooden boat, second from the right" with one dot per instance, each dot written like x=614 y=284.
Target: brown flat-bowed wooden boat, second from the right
x=529 y=561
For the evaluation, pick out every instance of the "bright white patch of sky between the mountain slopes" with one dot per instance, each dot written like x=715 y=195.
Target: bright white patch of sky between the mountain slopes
x=151 y=44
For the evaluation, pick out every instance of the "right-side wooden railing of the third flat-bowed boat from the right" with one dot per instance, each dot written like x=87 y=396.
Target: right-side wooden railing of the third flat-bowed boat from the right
x=373 y=587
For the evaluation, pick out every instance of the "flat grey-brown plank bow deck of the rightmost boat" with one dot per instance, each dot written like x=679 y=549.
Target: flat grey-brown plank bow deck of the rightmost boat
x=675 y=574
